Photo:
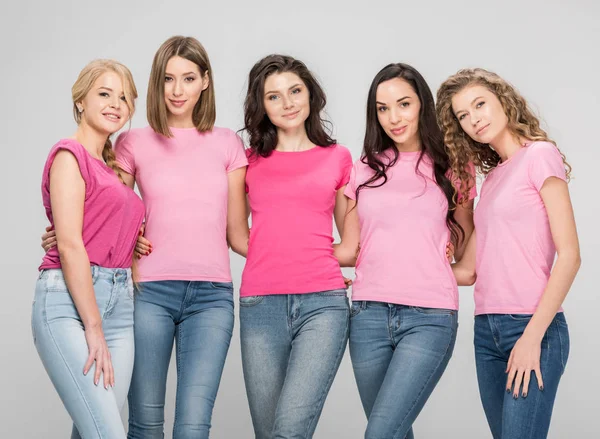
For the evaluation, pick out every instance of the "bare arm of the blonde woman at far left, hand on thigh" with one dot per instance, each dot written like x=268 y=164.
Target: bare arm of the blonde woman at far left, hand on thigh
x=67 y=195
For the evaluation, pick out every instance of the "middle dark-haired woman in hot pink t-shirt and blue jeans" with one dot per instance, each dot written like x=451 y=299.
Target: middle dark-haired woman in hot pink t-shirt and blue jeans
x=293 y=305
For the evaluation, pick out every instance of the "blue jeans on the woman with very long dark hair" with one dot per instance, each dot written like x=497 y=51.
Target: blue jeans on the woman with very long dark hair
x=399 y=354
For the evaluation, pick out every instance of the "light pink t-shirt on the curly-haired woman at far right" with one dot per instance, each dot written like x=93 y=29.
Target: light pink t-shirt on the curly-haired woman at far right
x=515 y=249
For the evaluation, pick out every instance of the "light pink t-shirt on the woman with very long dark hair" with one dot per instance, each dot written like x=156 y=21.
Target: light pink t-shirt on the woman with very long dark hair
x=403 y=236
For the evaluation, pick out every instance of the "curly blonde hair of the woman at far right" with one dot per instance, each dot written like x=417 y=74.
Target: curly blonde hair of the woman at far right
x=522 y=123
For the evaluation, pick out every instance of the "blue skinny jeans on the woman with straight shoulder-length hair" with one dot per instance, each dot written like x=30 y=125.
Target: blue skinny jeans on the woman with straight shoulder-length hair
x=198 y=316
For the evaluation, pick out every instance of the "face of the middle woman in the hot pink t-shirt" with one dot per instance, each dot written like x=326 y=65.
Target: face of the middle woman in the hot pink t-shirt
x=286 y=100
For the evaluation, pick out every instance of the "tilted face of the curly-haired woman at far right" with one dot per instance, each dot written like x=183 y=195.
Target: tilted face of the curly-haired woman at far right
x=480 y=114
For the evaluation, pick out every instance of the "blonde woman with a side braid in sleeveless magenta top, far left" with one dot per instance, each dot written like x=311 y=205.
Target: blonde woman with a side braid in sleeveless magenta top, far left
x=83 y=308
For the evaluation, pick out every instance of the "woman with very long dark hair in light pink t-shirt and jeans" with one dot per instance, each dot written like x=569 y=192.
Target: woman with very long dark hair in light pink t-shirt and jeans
x=402 y=209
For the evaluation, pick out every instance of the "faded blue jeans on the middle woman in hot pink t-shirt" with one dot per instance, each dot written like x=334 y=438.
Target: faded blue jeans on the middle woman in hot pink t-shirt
x=292 y=346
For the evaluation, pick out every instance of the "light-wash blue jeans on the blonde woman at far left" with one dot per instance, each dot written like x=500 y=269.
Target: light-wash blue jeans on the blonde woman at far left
x=59 y=338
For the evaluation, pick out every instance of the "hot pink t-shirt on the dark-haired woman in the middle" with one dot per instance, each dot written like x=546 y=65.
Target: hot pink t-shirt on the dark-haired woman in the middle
x=292 y=197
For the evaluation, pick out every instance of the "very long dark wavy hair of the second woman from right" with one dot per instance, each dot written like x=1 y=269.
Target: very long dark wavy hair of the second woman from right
x=377 y=141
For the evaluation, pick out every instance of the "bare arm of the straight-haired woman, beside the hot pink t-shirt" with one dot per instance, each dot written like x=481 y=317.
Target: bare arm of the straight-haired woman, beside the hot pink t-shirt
x=237 y=212
